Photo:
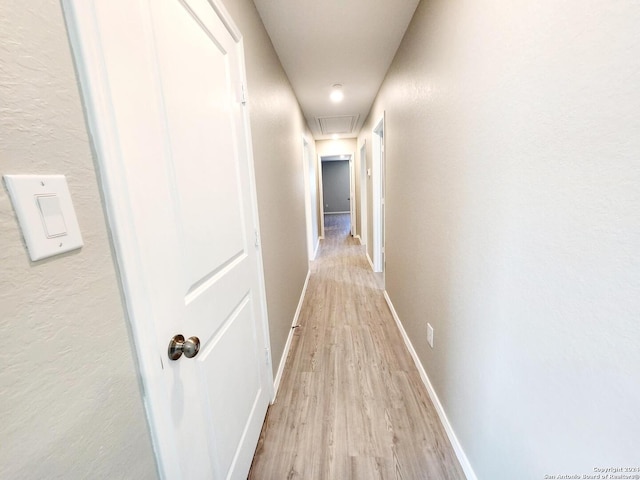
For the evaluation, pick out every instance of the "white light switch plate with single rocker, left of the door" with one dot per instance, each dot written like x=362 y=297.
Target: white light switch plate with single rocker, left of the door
x=45 y=212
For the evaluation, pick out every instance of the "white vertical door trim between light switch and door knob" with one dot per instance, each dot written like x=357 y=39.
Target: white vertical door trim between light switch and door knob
x=87 y=49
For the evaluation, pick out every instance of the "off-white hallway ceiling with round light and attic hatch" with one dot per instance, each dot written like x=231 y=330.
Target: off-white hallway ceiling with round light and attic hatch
x=325 y=42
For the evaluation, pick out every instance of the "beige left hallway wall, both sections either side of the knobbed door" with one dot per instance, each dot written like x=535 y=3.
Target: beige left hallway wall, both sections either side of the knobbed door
x=71 y=401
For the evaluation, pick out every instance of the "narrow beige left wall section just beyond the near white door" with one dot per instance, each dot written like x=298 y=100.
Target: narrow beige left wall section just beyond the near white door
x=277 y=128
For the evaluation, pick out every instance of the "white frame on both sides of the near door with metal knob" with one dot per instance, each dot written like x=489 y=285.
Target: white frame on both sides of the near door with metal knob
x=117 y=198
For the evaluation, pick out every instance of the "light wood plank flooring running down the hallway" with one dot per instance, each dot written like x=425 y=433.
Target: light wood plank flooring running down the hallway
x=351 y=403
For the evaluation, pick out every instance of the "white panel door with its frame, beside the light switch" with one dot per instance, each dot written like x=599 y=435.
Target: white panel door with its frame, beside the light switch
x=162 y=81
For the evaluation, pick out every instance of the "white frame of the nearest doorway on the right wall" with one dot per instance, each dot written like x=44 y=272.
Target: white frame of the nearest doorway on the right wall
x=378 y=181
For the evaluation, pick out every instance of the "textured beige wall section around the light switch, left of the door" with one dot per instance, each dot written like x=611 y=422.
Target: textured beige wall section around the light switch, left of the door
x=70 y=401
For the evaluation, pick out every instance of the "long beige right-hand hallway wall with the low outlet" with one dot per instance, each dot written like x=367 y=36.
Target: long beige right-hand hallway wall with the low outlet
x=513 y=225
